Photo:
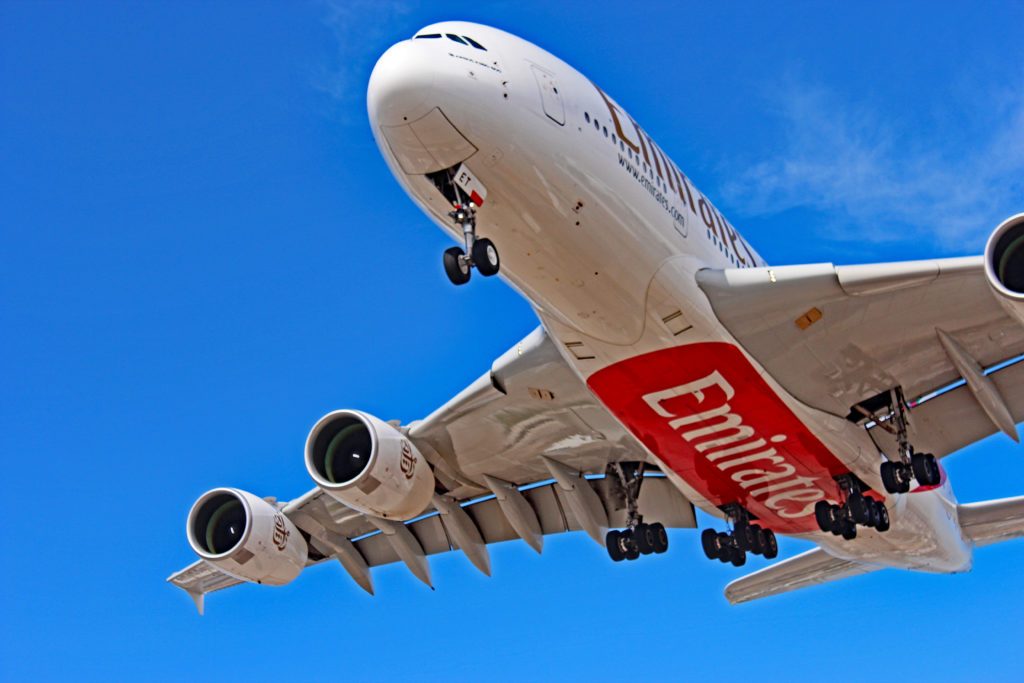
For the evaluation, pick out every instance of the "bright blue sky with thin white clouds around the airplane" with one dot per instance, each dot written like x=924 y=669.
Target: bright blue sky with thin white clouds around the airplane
x=203 y=252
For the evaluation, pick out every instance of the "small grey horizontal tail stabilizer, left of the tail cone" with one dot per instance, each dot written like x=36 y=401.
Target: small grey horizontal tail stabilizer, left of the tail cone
x=810 y=569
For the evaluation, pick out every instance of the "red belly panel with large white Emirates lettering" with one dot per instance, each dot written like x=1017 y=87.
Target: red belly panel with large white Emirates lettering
x=801 y=458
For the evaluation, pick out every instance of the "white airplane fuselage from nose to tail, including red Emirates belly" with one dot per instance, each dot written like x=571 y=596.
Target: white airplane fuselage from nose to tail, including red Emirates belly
x=604 y=235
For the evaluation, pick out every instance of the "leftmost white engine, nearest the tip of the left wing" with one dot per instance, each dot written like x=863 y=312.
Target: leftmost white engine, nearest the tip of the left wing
x=246 y=537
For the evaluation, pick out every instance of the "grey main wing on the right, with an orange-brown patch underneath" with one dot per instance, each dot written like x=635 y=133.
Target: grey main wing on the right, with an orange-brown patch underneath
x=837 y=337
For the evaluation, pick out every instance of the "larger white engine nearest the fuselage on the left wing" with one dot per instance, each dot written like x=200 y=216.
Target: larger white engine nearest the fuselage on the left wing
x=369 y=465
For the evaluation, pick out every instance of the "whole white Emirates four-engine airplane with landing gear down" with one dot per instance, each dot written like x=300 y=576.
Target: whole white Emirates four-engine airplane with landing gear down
x=673 y=368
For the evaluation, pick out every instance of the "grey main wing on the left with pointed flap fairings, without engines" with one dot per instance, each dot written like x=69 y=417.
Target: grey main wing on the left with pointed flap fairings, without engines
x=522 y=453
